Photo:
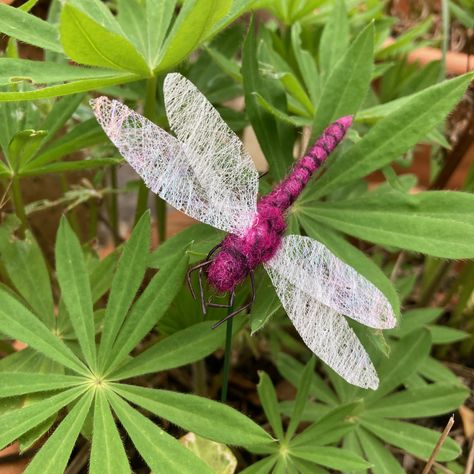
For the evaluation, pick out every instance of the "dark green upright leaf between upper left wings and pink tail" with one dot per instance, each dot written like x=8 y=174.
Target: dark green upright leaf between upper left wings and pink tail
x=275 y=138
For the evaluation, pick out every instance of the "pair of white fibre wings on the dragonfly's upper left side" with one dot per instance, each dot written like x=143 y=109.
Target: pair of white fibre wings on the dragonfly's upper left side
x=204 y=172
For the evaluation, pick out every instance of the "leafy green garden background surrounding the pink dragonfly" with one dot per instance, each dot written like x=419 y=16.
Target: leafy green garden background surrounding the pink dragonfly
x=385 y=205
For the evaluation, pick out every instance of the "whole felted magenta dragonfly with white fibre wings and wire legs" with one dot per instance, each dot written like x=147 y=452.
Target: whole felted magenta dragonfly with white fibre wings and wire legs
x=206 y=173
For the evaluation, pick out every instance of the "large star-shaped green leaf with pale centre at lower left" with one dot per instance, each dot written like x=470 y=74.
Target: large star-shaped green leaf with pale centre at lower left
x=128 y=319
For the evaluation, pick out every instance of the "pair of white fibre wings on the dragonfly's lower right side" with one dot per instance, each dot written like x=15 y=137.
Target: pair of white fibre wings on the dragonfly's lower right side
x=316 y=289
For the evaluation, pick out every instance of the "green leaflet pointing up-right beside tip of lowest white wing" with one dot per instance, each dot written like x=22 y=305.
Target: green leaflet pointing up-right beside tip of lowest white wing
x=406 y=356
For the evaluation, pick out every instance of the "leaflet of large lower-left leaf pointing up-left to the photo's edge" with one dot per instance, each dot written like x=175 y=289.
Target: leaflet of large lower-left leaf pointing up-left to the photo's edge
x=18 y=322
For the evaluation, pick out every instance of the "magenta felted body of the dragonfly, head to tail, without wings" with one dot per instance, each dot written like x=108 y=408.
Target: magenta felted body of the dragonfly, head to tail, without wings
x=241 y=254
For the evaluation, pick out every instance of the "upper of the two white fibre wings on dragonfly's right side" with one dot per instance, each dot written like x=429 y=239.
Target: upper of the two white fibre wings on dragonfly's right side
x=313 y=268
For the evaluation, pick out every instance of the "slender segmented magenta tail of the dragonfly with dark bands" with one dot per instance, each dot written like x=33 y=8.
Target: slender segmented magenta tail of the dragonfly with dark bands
x=290 y=188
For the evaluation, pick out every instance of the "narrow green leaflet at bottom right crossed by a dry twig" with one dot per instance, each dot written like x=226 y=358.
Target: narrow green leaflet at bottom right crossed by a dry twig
x=412 y=438
